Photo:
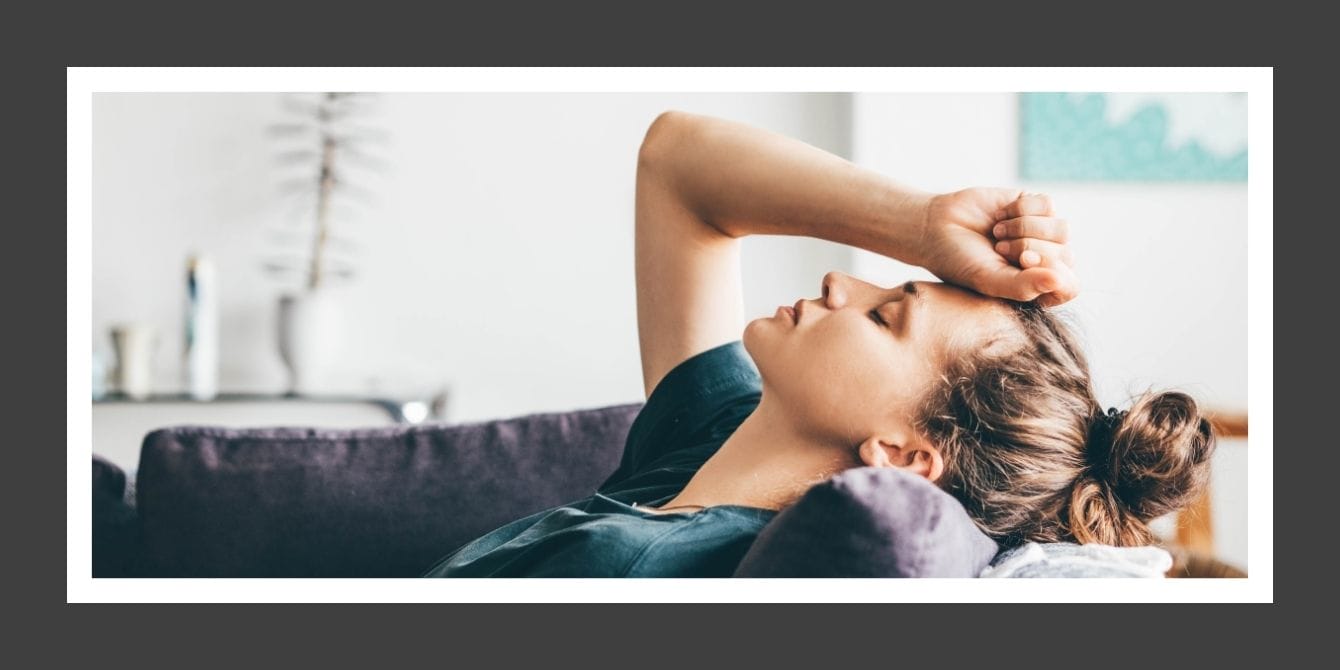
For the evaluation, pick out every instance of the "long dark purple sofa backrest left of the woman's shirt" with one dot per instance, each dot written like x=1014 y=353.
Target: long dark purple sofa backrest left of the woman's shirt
x=385 y=502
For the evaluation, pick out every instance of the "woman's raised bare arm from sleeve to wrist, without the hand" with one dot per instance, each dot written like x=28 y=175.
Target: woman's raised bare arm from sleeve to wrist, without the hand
x=704 y=183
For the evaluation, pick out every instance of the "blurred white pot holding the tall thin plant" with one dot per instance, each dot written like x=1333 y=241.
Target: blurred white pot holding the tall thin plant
x=310 y=337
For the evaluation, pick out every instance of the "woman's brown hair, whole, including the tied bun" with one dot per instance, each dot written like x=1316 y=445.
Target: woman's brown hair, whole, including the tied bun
x=1034 y=458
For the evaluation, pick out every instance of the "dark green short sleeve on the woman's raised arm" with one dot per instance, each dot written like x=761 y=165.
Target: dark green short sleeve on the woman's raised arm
x=699 y=403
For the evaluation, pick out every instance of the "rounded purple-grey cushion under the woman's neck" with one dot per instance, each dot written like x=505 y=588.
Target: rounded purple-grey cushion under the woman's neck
x=872 y=523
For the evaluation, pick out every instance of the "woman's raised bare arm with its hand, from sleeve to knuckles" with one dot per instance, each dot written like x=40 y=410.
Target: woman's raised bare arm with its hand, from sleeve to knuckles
x=706 y=183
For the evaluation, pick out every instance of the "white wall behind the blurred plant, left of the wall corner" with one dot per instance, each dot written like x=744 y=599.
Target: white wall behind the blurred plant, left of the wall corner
x=496 y=259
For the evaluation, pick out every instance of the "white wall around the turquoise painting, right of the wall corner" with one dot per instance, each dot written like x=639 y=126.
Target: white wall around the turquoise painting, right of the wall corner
x=1164 y=266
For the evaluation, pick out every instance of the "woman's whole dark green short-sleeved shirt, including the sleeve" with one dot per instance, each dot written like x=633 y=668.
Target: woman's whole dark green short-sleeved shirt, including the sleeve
x=689 y=415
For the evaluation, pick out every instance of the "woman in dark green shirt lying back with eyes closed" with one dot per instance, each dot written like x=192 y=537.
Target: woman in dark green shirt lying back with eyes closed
x=971 y=384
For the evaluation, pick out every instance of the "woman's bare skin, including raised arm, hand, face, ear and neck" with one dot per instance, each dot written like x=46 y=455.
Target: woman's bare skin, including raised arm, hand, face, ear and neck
x=840 y=388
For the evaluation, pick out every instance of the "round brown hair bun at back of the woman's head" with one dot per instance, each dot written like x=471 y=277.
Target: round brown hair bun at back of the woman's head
x=1154 y=458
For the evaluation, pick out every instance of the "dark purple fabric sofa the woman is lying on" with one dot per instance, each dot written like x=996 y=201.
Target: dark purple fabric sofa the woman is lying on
x=391 y=502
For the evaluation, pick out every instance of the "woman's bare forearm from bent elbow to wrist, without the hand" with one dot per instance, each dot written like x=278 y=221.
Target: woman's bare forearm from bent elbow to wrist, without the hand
x=748 y=182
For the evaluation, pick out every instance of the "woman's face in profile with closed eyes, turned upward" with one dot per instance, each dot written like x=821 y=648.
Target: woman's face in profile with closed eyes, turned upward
x=858 y=361
